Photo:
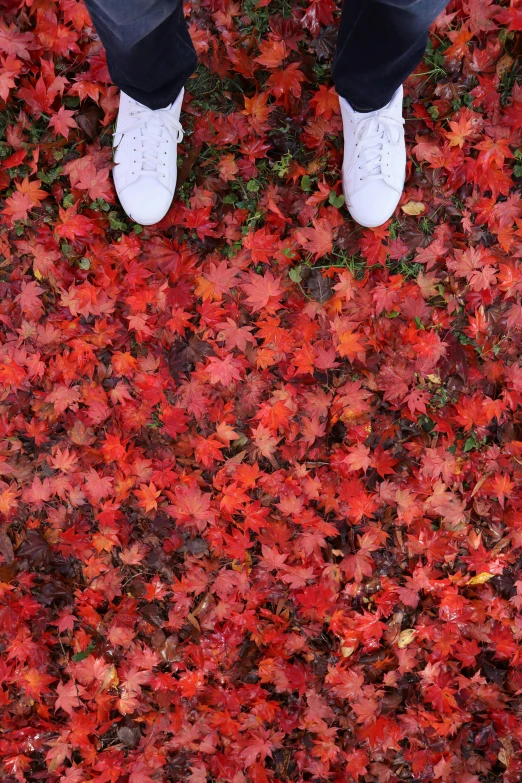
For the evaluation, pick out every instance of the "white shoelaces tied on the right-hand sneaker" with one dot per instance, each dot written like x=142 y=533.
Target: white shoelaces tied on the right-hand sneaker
x=370 y=138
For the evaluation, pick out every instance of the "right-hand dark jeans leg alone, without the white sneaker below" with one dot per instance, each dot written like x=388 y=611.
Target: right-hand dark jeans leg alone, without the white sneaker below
x=380 y=43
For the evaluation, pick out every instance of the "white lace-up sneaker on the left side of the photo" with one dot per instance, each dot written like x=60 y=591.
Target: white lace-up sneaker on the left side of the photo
x=145 y=153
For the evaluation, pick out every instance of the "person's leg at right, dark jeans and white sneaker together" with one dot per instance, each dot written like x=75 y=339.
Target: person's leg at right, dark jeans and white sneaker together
x=380 y=43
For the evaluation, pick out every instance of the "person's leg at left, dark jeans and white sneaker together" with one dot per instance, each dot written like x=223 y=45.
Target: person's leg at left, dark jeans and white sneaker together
x=150 y=57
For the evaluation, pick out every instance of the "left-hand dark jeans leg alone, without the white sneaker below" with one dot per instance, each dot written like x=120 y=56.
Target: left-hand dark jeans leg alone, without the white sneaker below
x=150 y=54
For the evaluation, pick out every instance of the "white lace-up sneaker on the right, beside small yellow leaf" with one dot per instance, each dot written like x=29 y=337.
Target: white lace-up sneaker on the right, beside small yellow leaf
x=374 y=166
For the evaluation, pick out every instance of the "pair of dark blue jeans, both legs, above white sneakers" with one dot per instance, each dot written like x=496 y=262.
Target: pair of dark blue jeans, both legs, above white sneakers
x=150 y=54
